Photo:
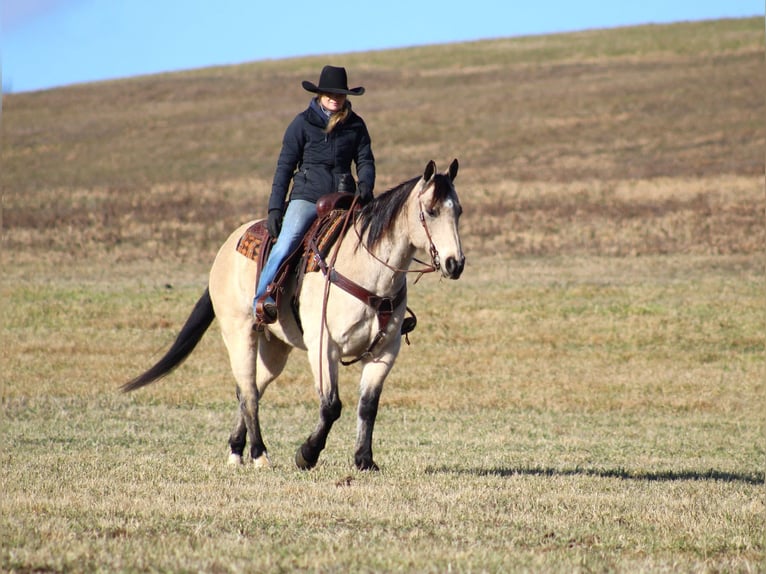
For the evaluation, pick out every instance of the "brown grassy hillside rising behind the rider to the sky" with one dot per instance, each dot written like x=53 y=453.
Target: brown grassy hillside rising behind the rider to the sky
x=627 y=141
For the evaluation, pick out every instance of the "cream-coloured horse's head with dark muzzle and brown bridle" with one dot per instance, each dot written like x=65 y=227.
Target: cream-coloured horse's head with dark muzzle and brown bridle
x=437 y=212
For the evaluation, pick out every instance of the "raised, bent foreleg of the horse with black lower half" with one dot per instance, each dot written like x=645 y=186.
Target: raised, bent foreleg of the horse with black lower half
x=329 y=411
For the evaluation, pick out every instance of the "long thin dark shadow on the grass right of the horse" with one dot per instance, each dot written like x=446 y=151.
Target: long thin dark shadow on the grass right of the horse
x=663 y=476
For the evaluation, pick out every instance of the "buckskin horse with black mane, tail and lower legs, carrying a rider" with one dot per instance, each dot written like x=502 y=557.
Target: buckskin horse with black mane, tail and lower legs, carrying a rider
x=354 y=308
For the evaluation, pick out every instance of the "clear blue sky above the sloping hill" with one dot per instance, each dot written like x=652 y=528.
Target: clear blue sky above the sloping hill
x=50 y=43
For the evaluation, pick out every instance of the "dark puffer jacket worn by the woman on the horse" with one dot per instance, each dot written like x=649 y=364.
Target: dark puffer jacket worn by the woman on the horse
x=316 y=161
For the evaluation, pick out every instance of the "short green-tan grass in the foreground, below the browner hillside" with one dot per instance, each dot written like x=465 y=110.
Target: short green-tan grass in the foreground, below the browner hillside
x=605 y=414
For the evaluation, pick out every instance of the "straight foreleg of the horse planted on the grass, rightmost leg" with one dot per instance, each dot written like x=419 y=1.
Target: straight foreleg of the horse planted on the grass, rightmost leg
x=373 y=375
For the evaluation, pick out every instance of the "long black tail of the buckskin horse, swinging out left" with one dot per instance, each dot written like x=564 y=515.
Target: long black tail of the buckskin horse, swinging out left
x=198 y=322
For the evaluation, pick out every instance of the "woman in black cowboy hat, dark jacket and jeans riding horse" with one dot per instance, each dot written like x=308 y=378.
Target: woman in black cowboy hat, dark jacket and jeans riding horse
x=317 y=150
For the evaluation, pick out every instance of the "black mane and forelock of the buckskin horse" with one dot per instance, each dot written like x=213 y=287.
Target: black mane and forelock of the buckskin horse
x=378 y=217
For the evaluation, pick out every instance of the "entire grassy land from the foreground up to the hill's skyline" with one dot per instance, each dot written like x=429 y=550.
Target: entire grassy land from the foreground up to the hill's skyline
x=588 y=397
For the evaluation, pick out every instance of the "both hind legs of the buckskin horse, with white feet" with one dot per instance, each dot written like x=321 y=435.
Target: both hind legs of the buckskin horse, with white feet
x=255 y=362
